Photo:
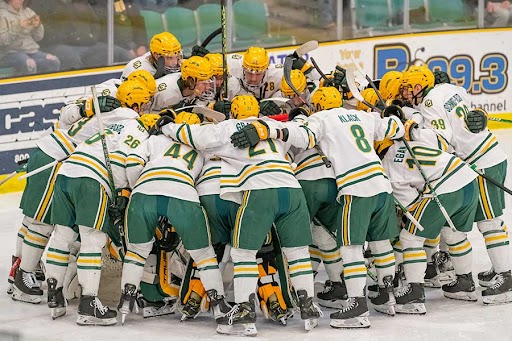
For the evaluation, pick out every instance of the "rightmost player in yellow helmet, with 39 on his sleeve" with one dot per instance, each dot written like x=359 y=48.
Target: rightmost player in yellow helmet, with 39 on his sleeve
x=446 y=108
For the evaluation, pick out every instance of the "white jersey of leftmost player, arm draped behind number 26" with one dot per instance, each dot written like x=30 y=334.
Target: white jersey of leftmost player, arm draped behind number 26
x=62 y=142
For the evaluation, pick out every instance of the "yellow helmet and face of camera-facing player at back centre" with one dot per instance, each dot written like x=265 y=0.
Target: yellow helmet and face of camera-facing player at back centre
x=255 y=65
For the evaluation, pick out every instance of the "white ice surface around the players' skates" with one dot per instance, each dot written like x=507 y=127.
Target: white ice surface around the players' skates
x=445 y=319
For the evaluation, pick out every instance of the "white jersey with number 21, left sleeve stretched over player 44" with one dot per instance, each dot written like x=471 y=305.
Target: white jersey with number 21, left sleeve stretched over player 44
x=260 y=167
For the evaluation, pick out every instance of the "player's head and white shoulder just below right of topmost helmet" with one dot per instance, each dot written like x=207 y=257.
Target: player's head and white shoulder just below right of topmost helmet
x=194 y=85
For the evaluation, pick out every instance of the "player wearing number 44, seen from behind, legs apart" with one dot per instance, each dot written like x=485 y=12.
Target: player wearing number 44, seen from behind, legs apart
x=164 y=162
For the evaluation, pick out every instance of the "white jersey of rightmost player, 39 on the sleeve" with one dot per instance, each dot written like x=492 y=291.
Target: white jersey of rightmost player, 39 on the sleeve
x=443 y=109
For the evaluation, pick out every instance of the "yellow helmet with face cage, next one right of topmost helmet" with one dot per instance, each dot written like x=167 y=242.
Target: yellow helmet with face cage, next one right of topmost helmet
x=197 y=73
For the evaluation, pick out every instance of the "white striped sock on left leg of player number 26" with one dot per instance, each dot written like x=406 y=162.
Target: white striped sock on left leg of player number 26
x=58 y=253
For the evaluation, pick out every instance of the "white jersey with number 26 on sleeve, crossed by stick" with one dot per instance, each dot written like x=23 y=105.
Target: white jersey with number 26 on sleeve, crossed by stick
x=88 y=160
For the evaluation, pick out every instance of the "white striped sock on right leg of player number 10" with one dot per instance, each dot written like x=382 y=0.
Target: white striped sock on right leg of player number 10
x=460 y=250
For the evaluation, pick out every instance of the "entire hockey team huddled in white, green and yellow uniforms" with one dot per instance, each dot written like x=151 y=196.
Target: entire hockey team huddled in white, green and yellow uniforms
x=225 y=196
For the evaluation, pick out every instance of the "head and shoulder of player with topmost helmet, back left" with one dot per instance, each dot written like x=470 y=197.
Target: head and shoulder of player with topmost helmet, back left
x=164 y=52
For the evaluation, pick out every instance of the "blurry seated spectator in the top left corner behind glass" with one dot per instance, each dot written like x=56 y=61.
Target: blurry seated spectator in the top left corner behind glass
x=20 y=30
